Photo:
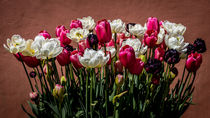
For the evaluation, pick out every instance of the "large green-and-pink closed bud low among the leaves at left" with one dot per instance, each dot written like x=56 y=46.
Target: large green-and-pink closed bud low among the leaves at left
x=58 y=92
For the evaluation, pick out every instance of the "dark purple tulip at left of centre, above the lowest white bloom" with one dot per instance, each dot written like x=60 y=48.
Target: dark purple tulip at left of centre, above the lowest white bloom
x=92 y=41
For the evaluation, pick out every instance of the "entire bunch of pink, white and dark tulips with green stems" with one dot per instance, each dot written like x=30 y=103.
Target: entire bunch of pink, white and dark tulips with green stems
x=111 y=69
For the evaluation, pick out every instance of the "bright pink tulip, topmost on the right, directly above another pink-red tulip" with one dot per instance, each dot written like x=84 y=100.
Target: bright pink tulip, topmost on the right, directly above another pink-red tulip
x=152 y=25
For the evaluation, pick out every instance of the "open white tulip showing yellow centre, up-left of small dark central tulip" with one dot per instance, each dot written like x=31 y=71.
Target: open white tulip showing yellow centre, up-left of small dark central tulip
x=77 y=34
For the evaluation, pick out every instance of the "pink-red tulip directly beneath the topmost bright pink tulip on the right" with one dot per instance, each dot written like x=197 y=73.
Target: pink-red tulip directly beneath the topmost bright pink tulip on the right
x=150 y=39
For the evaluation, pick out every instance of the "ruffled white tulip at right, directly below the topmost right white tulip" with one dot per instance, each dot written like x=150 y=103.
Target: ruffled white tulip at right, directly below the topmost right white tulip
x=176 y=42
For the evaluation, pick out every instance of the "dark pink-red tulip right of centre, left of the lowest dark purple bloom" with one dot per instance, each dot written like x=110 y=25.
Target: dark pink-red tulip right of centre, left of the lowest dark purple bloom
x=137 y=67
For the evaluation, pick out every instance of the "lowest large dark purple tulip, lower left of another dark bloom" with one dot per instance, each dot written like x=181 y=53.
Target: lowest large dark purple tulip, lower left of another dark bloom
x=153 y=66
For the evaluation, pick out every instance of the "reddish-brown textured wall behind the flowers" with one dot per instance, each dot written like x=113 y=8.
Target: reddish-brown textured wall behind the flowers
x=28 y=17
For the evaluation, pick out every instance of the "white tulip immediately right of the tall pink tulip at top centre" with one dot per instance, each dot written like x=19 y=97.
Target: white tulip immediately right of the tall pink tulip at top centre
x=117 y=26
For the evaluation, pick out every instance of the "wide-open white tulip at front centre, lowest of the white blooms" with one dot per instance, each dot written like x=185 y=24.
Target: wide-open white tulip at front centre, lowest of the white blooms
x=93 y=59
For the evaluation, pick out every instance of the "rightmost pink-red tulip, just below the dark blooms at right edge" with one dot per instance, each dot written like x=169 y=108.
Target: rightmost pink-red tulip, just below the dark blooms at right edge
x=193 y=62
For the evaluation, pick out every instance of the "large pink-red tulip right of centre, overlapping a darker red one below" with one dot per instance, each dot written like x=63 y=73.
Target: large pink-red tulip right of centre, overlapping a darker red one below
x=127 y=56
